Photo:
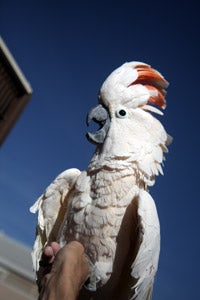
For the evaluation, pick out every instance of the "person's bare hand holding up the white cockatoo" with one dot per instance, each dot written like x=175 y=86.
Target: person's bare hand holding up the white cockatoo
x=69 y=271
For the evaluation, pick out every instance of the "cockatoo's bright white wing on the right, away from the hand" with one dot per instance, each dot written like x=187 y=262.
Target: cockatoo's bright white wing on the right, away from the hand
x=145 y=264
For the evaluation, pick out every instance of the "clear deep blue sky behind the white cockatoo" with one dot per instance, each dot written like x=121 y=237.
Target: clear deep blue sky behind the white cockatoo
x=66 y=49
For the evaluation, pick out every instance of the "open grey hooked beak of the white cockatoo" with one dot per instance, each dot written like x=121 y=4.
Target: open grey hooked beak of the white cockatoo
x=100 y=115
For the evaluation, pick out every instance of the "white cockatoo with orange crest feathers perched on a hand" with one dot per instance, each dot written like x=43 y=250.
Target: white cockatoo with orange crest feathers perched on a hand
x=108 y=207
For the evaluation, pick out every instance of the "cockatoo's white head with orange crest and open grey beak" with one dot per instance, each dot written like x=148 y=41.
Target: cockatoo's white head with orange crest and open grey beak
x=126 y=100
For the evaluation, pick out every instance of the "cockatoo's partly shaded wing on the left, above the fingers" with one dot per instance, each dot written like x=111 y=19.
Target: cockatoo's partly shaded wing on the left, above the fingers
x=51 y=207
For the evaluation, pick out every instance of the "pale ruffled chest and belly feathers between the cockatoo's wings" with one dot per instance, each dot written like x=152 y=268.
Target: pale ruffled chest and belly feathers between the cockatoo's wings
x=96 y=209
